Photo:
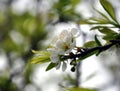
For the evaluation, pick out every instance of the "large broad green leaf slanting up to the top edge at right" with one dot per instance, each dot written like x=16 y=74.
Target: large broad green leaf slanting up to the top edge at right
x=109 y=9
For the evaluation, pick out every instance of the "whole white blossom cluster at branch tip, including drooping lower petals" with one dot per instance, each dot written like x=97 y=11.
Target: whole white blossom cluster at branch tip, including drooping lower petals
x=63 y=45
